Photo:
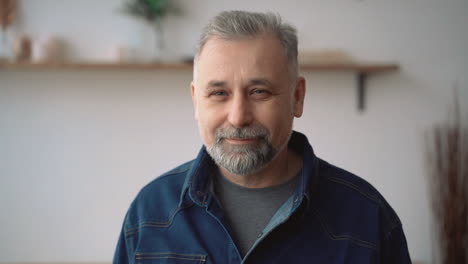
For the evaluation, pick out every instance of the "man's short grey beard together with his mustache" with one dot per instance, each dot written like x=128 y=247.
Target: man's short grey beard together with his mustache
x=242 y=159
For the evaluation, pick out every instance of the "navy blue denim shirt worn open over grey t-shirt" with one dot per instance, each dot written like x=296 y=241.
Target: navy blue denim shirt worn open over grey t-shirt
x=333 y=217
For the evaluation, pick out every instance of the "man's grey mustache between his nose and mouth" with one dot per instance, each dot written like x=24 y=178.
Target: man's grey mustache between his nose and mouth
x=242 y=133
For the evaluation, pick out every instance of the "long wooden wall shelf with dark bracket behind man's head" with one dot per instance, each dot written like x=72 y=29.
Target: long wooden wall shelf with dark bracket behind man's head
x=362 y=70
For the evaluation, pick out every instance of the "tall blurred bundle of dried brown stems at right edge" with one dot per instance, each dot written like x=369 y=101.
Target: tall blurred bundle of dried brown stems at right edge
x=447 y=160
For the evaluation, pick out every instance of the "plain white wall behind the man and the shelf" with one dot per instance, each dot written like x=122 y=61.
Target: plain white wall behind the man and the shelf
x=76 y=146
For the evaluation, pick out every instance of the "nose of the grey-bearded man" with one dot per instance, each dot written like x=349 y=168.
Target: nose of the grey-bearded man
x=240 y=112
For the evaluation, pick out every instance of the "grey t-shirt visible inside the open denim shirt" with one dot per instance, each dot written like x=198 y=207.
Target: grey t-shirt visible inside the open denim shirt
x=249 y=210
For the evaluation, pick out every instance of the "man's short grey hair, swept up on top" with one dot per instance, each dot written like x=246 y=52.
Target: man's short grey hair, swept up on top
x=232 y=25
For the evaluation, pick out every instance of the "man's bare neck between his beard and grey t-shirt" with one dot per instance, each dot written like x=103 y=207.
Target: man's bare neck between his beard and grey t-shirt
x=280 y=170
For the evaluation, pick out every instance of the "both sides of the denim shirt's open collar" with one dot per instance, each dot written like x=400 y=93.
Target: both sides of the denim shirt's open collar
x=198 y=181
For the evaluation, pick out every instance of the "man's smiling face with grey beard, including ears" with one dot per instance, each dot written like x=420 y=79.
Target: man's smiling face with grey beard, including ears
x=245 y=101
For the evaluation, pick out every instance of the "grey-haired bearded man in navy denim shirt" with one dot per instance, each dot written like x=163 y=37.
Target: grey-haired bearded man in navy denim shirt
x=256 y=193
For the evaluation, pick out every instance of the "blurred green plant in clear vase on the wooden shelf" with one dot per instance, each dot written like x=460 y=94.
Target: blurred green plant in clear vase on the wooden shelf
x=153 y=13
